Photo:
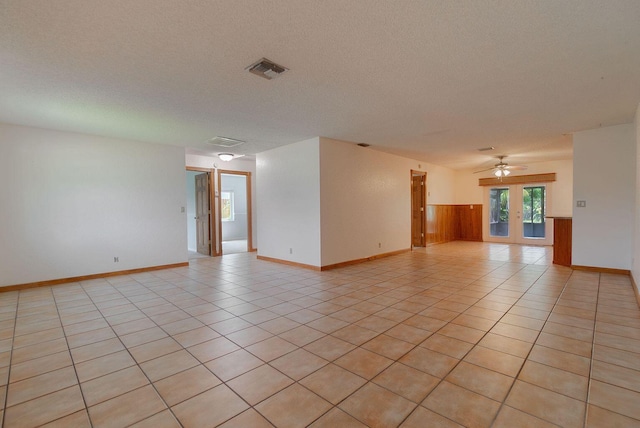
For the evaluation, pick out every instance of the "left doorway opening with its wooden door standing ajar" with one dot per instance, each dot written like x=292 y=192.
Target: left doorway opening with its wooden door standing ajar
x=200 y=231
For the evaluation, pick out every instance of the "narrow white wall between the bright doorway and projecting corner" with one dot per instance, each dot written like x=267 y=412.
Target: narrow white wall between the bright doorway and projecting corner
x=288 y=193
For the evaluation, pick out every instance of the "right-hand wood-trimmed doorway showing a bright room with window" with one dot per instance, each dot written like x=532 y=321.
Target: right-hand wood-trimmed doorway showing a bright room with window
x=234 y=209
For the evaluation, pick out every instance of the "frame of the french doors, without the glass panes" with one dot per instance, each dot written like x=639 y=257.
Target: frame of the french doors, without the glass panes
x=516 y=235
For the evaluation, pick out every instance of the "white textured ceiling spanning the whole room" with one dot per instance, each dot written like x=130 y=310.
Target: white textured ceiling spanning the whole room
x=431 y=80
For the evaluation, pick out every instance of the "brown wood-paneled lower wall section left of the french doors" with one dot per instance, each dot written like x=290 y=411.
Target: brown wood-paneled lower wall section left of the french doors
x=454 y=223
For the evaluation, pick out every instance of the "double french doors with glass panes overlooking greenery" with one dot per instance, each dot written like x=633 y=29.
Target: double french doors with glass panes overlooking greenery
x=516 y=214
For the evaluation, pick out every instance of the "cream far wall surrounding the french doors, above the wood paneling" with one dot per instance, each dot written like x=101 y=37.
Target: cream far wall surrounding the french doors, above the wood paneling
x=468 y=191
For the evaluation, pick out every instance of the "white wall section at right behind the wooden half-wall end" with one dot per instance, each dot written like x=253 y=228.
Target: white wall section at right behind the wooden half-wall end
x=604 y=176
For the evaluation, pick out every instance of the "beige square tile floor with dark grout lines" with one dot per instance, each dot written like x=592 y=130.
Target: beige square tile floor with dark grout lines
x=460 y=334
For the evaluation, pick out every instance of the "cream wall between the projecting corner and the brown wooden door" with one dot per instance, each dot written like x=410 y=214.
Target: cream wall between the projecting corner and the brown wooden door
x=365 y=200
